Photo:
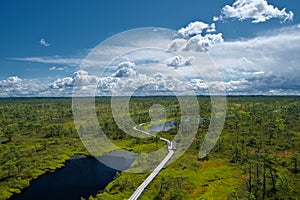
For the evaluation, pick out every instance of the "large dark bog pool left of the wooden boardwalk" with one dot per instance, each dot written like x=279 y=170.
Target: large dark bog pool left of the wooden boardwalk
x=81 y=177
